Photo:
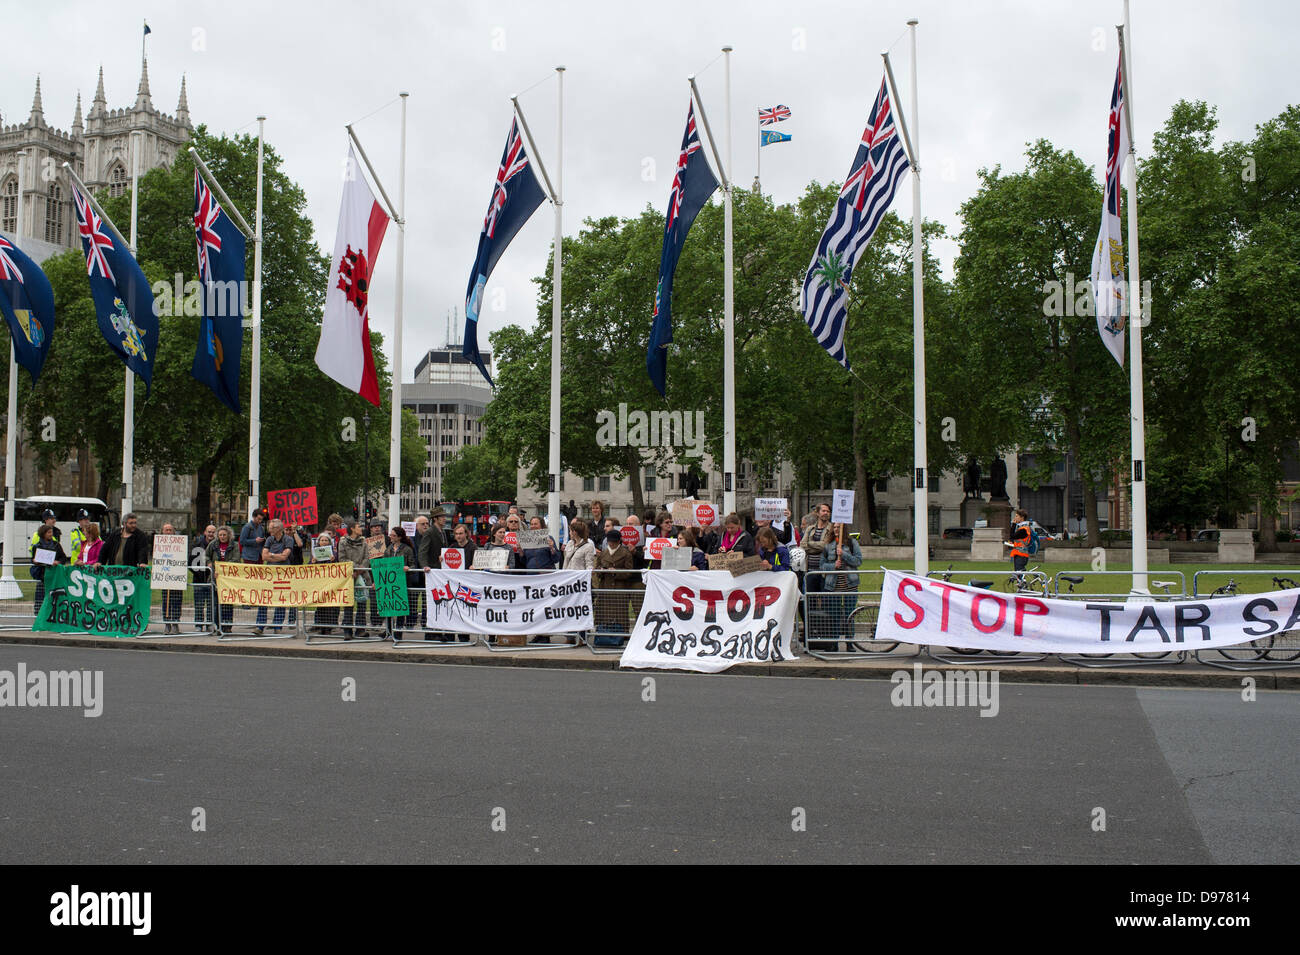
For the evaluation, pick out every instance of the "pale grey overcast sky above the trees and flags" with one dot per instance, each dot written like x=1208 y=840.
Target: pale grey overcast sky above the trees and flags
x=994 y=75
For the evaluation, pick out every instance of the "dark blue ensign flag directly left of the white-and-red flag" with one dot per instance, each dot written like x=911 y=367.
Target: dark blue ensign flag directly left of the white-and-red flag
x=222 y=274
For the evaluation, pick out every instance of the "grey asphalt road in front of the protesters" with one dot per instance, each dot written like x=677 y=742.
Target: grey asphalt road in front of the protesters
x=578 y=767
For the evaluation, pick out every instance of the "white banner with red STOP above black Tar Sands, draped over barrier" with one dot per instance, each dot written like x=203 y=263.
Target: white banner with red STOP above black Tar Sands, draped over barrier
x=708 y=620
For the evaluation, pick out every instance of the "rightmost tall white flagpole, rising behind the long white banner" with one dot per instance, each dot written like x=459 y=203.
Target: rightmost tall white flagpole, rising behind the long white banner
x=1137 y=413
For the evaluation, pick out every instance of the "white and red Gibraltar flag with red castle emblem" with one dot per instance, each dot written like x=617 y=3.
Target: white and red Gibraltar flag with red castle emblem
x=344 y=353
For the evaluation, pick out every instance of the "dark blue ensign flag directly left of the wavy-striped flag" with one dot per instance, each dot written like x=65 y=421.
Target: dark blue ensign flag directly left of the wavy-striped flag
x=692 y=185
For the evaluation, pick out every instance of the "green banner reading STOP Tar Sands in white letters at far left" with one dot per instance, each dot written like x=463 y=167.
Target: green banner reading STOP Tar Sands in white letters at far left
x=106 y=602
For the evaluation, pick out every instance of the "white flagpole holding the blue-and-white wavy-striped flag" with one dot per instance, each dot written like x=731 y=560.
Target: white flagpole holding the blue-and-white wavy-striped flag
x=921 y=531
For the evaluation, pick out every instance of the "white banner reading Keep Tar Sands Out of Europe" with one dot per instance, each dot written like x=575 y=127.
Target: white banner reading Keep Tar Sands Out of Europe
x=500 y=604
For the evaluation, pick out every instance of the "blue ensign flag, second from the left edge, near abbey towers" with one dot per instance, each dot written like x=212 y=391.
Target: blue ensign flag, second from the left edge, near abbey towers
x=124 y=303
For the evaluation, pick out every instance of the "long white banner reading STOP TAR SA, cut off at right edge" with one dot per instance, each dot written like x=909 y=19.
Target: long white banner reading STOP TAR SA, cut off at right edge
x=917 y=610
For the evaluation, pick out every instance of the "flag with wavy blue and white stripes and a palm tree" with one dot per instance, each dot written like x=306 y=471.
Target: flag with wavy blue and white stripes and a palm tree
x=878 y=168
